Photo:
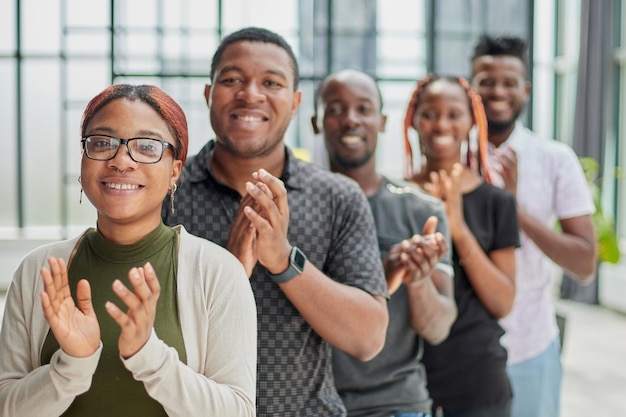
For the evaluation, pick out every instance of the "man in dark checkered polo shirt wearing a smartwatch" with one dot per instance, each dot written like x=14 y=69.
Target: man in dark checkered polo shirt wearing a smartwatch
x=305 y=236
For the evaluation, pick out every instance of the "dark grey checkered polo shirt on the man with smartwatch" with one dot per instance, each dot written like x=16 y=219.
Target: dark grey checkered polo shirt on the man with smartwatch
x=332 y=223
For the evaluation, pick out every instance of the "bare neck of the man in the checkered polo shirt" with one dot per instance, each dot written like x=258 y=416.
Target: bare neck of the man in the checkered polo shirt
x=235 y=171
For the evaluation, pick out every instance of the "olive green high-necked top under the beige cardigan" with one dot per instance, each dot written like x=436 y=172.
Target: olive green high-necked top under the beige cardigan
x=114 y=391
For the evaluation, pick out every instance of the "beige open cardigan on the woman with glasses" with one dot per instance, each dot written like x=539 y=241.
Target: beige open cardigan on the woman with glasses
x=218 y=320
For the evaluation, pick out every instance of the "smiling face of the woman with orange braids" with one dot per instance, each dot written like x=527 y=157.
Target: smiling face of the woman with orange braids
x=443 y=120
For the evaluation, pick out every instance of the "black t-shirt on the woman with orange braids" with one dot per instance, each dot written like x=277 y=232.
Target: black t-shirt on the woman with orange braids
x=468 y=370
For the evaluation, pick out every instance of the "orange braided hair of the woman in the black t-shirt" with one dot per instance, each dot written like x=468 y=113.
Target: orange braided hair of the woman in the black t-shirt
x=481 y=166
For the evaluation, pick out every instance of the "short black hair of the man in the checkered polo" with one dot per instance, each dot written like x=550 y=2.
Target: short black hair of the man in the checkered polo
x=255 y=34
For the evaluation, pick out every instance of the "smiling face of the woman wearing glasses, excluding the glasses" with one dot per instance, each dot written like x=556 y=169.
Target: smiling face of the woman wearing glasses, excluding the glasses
x=125 y=192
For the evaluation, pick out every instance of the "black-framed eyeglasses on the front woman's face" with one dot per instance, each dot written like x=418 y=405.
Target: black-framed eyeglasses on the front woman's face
x=142 y=150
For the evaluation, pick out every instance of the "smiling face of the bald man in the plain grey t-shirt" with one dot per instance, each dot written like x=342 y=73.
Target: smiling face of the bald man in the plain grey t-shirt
x=352 y=118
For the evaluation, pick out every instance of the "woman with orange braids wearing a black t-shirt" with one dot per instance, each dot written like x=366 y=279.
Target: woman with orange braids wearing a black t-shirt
x=467 y=372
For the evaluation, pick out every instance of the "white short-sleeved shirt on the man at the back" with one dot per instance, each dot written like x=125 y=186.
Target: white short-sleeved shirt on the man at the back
x=550 y=186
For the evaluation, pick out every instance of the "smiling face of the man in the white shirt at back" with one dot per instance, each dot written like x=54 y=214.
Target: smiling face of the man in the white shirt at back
x=500 y=81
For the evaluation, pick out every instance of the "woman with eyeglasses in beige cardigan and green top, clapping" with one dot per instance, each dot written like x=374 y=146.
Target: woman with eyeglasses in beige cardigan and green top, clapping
x=132 y=318
